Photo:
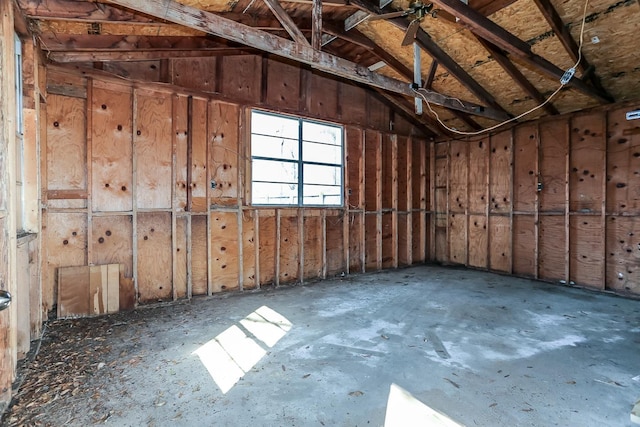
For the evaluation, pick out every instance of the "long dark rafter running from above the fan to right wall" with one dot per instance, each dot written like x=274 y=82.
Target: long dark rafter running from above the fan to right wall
x=489 y=30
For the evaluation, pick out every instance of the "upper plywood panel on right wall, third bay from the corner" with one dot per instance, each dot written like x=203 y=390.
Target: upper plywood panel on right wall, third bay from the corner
x=478 y=175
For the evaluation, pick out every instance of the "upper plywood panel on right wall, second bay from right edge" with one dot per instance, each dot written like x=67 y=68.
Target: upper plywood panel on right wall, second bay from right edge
x=586 y=174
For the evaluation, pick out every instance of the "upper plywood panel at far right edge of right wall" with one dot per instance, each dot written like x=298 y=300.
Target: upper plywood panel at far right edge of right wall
x=623 y=164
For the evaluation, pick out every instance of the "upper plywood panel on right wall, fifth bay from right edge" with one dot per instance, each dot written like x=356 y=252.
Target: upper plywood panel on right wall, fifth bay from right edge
x=501 y=175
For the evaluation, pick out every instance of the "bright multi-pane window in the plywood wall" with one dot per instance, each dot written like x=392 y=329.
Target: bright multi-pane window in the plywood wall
x=295 y=161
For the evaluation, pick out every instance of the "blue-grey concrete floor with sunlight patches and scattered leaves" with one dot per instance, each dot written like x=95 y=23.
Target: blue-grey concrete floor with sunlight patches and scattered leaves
x=478 y=348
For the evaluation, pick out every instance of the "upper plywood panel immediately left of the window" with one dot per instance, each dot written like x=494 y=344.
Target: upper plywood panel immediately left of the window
x=224 y=148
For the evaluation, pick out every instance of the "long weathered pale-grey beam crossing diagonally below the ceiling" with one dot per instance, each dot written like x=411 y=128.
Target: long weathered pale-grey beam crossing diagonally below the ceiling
x=205 y=21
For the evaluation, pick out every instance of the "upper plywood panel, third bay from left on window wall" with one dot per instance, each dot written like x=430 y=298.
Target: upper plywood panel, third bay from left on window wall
x=153 y=149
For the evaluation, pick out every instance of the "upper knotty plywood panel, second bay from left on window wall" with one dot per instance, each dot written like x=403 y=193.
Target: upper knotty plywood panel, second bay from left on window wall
x=111 y=151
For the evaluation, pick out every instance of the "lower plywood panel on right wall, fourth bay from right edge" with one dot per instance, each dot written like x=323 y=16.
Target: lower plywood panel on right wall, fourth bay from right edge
x=524 y=245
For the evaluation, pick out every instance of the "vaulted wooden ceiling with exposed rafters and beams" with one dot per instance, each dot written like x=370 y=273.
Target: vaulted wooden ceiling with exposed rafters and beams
x=480 y=64
